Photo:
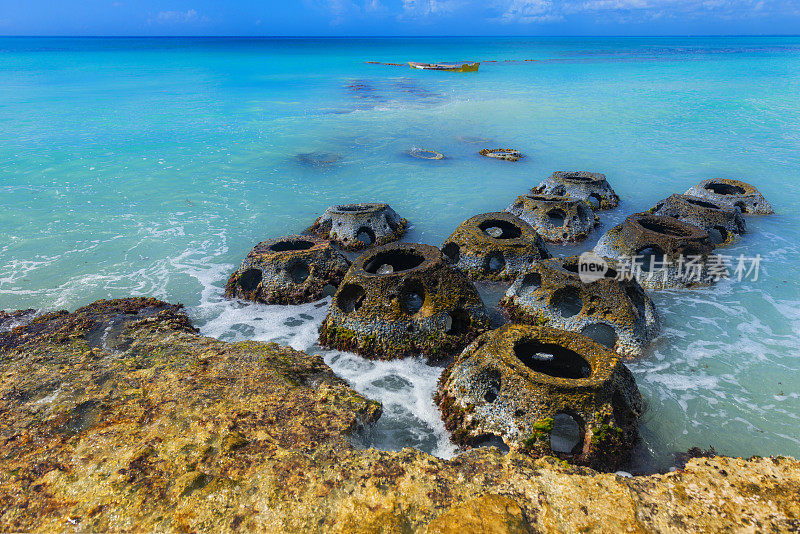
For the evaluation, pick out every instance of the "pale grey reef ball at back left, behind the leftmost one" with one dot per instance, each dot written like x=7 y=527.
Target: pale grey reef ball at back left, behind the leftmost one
x=357 y=226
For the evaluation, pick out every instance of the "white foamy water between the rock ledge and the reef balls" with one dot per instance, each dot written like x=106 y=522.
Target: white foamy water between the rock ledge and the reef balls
x=404 y=387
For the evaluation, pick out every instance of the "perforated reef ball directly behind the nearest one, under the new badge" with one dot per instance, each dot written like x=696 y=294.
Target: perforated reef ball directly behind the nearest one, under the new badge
x=618 y=314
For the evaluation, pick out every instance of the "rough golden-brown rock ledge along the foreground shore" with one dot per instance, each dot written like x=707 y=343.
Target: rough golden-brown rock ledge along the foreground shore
x=120 y=417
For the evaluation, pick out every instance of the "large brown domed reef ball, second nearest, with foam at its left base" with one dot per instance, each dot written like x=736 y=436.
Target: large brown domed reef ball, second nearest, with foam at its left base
x=404 y=299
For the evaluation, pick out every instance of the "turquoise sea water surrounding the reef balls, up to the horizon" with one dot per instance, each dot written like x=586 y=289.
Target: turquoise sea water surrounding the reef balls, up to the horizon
x=152 y=166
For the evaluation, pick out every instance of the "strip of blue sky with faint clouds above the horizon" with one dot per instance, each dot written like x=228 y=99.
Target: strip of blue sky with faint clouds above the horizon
x=399 y=17
